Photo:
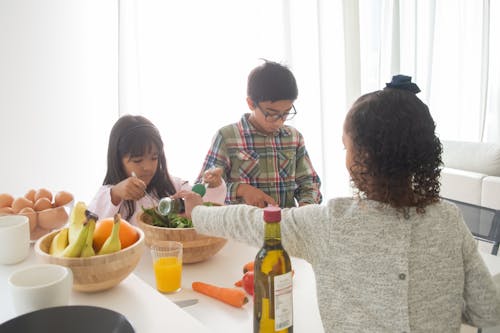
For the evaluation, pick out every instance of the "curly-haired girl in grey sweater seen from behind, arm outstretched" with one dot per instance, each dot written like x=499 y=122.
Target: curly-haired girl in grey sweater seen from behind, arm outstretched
x=394 y=258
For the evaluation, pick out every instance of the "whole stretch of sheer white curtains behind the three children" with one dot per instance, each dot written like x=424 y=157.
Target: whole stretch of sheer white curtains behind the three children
x=184 y=65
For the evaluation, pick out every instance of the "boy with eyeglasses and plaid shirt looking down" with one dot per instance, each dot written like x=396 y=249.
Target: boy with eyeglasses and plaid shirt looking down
x=264 y=161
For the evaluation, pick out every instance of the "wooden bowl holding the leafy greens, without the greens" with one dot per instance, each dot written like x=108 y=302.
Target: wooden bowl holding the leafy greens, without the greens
x=196 y=247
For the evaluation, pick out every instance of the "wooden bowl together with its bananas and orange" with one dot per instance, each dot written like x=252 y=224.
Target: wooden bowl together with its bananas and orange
x=108 y=262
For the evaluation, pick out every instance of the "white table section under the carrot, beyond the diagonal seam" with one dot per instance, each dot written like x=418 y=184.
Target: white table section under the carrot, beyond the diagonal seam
x=223 y=270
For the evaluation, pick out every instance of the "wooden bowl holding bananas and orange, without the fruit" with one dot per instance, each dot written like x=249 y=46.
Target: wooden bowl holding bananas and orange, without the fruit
x=99 y=272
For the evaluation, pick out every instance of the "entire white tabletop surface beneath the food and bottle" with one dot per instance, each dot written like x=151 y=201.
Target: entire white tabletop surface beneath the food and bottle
x=150 y=311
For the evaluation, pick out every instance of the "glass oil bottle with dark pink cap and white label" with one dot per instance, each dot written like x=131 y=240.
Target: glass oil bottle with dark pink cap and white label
x=273 y=302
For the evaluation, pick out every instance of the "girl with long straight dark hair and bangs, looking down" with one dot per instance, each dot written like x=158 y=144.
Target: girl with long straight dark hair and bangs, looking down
x=137 y=174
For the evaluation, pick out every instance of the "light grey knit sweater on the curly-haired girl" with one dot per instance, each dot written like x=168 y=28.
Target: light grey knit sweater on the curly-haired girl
x=377 y=271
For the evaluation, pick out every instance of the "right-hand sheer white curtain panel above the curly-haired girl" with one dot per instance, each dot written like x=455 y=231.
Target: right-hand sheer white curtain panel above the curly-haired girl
x=450 y=48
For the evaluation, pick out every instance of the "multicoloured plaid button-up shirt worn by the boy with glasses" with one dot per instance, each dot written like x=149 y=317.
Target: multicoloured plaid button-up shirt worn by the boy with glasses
x=277 y=164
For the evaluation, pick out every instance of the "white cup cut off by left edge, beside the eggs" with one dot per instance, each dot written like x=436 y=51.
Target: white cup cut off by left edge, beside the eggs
x=14 y=238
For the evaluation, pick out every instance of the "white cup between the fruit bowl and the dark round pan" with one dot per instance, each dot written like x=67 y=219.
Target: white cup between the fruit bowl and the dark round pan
x=40 y=286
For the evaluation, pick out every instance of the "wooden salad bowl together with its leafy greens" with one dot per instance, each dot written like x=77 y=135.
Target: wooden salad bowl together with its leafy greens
x=196 y=247
